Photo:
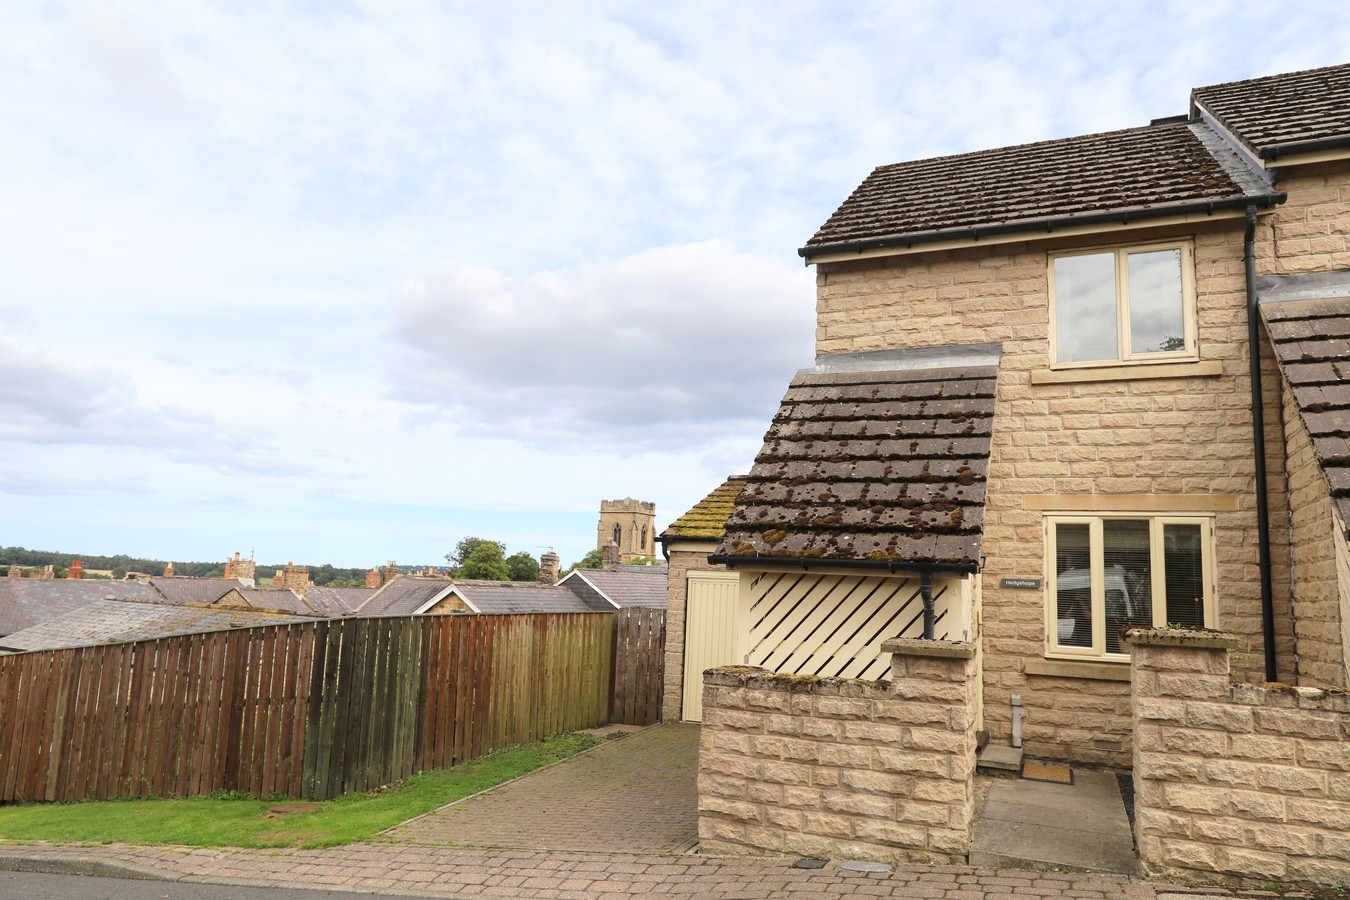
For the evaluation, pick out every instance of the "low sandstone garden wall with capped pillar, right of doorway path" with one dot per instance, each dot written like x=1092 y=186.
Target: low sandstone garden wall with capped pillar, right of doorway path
x=1236 y=783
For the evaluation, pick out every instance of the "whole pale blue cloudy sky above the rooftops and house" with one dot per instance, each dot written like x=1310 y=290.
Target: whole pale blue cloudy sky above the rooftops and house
x=346 y=283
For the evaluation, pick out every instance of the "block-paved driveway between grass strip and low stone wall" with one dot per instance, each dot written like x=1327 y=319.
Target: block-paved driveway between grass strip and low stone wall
x=637 y=794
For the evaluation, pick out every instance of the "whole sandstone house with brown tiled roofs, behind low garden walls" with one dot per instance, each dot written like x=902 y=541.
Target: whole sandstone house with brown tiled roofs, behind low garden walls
x=1063 y=389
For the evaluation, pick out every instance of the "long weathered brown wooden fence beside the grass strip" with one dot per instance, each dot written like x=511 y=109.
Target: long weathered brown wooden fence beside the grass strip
x=314 y=709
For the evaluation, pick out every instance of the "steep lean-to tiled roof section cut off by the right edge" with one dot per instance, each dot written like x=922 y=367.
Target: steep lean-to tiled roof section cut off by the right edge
x=1312 y=338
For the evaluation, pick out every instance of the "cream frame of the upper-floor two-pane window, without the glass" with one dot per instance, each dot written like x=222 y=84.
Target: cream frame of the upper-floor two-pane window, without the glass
x=1125 y=354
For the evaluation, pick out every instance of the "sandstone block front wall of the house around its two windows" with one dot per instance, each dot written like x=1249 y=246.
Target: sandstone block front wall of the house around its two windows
x=1144 y=439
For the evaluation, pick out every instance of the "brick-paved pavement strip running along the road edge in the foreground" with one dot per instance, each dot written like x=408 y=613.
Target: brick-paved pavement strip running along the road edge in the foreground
x=441 y=872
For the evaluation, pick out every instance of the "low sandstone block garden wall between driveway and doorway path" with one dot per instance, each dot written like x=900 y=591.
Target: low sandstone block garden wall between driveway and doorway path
x=838 y=768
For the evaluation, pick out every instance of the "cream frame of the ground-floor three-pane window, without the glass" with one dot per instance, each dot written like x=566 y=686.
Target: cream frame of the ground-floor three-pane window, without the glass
x=1097 y=565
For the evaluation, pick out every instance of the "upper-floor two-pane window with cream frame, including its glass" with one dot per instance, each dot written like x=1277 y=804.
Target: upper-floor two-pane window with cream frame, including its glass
x=1123 y=306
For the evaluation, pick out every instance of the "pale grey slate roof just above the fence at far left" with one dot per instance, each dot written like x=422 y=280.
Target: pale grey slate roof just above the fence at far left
x=118 y=621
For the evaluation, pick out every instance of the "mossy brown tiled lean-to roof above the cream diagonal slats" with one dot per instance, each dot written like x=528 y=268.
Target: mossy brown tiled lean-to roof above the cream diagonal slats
x=874 y=459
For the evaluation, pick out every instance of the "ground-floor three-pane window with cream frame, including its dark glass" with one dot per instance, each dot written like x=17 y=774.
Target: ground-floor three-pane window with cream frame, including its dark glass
x=1110 y=573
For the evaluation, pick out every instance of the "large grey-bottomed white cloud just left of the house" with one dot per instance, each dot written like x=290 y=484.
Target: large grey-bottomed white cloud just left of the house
x=672 y=347
